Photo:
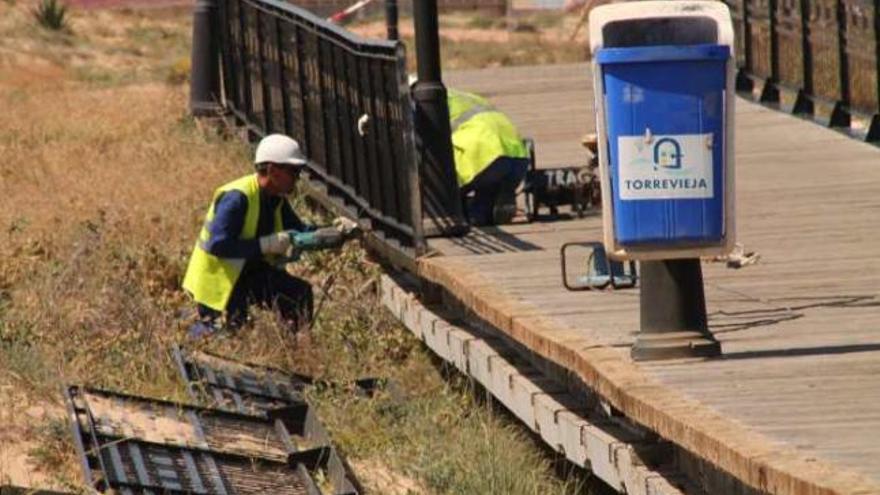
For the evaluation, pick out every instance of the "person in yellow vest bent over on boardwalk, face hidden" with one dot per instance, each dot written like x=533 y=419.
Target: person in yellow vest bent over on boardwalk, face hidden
x=491 y=159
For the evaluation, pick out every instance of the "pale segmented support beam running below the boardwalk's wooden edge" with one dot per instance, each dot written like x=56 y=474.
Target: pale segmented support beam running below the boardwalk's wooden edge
x=613 y=454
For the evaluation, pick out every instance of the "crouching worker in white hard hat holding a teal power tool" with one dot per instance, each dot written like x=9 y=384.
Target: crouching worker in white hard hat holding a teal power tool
x=250 y=230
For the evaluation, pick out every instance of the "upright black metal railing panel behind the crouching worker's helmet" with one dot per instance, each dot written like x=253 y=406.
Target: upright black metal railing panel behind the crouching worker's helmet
x=285 y=70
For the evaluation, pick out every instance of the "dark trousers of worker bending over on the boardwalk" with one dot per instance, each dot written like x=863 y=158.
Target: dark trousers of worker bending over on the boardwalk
x=496 y=185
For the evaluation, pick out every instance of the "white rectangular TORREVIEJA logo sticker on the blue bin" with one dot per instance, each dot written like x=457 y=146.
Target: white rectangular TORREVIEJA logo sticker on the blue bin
x=665 y=167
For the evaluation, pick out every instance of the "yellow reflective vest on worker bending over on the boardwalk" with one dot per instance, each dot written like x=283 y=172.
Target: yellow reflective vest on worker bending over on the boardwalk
x=480 y=134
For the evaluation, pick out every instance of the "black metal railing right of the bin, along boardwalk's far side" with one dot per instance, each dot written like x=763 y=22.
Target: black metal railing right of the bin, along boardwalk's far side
x=812 y=57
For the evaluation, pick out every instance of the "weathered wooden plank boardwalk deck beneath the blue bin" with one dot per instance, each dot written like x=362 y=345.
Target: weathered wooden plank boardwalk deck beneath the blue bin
x=793 y=406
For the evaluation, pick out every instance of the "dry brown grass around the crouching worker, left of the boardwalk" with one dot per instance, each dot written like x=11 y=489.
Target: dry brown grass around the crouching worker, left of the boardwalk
x=103 y=185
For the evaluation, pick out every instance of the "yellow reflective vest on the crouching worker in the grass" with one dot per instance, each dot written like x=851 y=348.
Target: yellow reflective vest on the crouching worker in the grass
x=210 y=279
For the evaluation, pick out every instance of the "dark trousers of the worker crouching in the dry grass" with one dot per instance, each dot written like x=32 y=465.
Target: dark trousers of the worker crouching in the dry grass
x=264 y=285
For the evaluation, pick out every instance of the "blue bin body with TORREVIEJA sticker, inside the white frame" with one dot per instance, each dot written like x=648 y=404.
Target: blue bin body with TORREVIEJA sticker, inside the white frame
x=665 y=124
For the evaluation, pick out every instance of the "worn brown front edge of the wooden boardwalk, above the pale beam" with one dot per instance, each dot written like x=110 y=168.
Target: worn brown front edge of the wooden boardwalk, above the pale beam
x=749 y=456
